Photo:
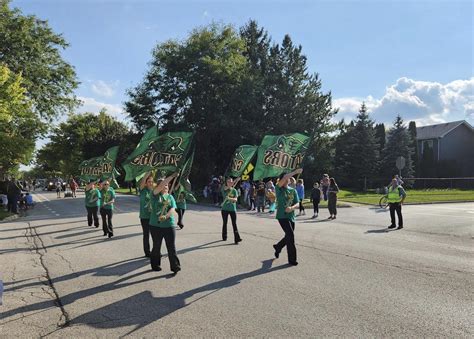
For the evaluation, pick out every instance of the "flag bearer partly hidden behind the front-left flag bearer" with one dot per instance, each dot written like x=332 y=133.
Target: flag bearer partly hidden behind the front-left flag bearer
x=146 y=191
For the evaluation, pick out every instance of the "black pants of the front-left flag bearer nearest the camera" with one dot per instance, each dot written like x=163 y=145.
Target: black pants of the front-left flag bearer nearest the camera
x=157 y=234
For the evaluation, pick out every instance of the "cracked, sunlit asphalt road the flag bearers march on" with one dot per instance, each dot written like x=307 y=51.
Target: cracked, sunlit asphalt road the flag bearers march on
x=63 y=279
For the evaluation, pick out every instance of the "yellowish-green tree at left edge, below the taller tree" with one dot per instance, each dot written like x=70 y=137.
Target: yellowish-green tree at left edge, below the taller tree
x=18 y=123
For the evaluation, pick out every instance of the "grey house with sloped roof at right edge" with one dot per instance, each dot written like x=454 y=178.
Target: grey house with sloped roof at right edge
x=451 y=147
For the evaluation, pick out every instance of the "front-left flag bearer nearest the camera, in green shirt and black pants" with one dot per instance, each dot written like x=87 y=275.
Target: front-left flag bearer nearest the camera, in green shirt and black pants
x=162 y=225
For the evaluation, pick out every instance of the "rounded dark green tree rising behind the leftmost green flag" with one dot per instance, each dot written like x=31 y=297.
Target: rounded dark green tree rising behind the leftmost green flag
x=81 y=137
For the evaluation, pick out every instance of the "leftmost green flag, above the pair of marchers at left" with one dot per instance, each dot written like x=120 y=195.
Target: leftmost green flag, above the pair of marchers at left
x=102 y=167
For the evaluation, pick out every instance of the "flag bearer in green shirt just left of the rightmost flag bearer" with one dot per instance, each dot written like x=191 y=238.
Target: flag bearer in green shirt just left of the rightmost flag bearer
x=229 y=207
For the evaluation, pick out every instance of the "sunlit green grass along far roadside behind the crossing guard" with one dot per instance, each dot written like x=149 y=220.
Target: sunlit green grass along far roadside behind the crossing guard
x=413 y=196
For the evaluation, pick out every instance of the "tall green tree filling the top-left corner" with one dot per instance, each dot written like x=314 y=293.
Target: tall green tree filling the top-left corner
x=29 y=47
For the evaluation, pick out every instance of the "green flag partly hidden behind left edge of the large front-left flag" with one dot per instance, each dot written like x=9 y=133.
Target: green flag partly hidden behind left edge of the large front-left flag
x=140 y=154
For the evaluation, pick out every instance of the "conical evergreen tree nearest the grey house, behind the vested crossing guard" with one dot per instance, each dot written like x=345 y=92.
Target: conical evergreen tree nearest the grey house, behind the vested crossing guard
x=398 y=144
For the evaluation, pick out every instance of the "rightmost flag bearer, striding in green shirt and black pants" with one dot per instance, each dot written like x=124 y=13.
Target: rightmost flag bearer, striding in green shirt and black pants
x=287 y=202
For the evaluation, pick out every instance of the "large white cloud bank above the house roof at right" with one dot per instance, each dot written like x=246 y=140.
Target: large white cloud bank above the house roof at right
x=422 y=101
